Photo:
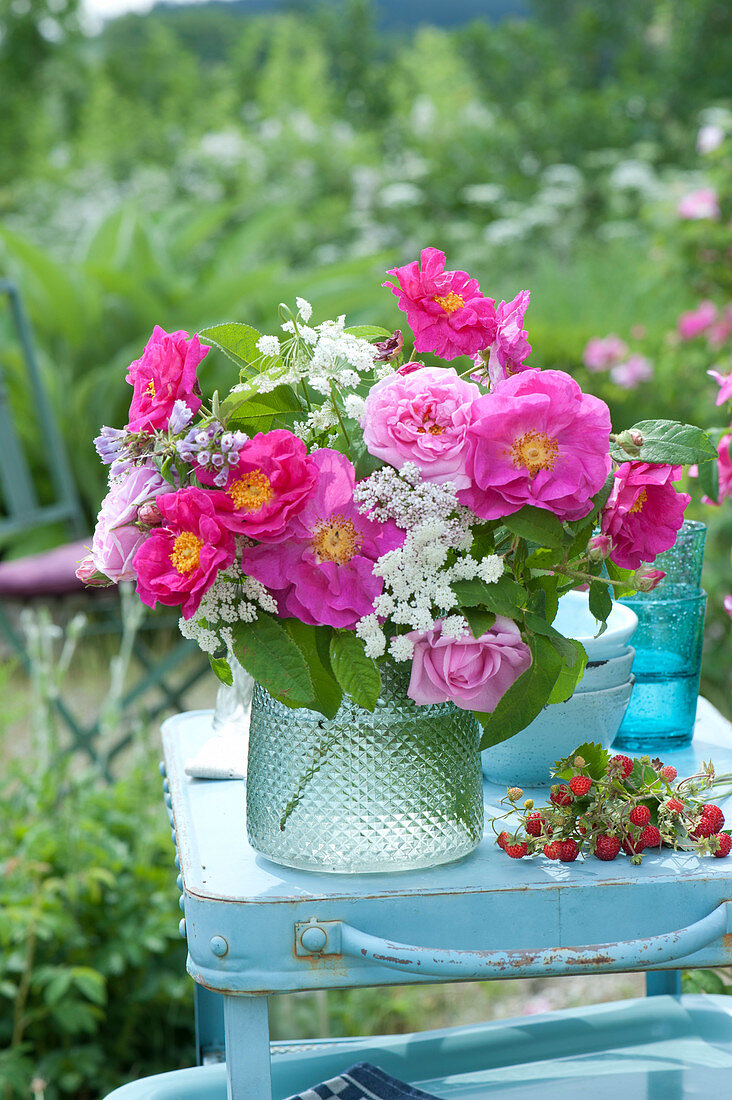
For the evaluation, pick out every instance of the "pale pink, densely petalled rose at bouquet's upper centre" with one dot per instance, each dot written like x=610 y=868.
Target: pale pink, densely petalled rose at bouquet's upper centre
x=422 y=417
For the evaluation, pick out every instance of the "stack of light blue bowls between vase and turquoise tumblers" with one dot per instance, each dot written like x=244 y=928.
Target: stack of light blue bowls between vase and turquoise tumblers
x=595 y=711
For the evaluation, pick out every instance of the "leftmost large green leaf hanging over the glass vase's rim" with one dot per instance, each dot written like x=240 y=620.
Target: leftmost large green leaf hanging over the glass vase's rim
x=269 y=654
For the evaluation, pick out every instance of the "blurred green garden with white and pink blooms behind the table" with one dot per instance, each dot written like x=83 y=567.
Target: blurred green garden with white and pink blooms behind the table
x=202 y=163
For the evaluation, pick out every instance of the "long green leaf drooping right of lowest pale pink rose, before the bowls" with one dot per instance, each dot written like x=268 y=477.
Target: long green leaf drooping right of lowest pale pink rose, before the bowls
x=527 y=697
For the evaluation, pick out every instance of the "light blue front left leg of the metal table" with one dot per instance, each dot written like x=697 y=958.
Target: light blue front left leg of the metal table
x=247 y=1028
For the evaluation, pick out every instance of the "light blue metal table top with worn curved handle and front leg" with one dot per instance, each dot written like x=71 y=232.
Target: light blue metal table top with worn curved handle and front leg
x=256 y=929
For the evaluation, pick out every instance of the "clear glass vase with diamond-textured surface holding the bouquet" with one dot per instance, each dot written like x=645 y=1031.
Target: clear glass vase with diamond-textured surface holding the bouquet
x=392 y=790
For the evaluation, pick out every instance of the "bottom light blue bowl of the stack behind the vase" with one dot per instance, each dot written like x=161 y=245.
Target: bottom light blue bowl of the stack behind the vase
x=527 y=758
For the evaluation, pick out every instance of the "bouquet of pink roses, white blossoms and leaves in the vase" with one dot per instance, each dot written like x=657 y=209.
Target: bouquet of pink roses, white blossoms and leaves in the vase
x=346 y=503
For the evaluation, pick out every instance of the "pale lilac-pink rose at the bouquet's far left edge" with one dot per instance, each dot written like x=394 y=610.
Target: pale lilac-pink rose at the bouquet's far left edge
x=117 y=536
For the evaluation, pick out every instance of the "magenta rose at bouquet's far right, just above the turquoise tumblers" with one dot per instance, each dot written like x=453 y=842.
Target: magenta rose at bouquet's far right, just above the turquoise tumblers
x=644 y=513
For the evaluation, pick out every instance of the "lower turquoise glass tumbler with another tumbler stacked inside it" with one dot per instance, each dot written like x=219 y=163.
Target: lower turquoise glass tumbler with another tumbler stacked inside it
x=668 y=665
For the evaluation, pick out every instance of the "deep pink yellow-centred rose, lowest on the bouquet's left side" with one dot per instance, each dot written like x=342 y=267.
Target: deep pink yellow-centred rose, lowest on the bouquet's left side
x=179 y=562
